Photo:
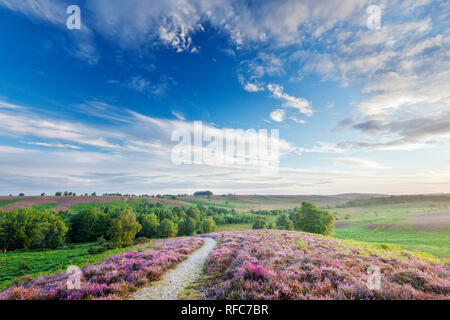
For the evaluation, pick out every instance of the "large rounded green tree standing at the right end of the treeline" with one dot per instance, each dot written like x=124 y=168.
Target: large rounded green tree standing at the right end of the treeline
x=316 y=220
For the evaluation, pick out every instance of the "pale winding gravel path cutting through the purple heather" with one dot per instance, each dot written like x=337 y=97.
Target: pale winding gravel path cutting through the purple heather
x=176 y=280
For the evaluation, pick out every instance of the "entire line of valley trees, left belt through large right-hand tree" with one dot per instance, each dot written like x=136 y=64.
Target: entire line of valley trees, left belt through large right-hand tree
x=33 y=228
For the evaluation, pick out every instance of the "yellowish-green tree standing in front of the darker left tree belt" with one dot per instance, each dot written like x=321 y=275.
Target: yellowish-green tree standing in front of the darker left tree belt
x=124 y=228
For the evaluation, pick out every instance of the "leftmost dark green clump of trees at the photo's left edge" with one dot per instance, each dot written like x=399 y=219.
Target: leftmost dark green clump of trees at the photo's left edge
x=28 y=228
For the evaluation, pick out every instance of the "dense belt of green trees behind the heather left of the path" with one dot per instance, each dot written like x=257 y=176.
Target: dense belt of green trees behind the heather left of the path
x=33 y=228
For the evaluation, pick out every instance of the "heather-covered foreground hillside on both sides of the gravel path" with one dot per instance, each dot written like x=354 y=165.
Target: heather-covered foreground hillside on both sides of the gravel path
x=265 y=264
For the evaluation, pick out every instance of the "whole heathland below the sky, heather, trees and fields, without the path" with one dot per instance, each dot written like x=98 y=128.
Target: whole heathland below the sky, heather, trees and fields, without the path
x=410 y=231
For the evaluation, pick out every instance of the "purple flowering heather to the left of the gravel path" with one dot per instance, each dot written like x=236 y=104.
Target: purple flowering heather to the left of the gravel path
x=111 y=278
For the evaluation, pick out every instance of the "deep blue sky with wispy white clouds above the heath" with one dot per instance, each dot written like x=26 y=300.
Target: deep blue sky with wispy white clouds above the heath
x=360 y=107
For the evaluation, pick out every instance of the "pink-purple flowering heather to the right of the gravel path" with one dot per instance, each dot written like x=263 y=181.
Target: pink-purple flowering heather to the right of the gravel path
x=274 y=264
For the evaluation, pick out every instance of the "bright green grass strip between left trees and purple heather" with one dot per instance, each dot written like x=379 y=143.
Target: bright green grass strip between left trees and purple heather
x=14 y=265
